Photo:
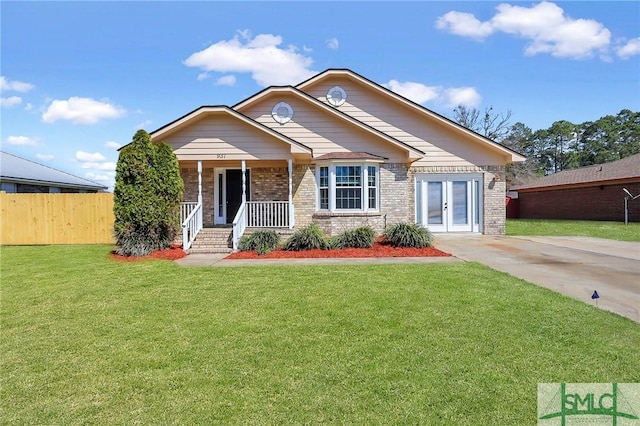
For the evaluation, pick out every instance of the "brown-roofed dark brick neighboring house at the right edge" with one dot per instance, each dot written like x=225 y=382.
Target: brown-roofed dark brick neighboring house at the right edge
x=587 y=193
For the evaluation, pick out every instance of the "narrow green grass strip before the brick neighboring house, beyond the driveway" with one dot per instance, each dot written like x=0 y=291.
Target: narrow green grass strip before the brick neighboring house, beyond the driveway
x=574 y=228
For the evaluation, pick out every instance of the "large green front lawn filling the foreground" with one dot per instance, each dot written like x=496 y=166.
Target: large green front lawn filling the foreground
x=86 y=340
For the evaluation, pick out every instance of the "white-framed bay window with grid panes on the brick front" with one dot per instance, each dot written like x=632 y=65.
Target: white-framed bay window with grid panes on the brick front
x=348 y=187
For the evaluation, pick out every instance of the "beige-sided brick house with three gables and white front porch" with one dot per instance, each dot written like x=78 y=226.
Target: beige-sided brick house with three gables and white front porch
x=340 y=150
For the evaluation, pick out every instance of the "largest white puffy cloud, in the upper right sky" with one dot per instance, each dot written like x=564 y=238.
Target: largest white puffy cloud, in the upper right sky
x=544 y=25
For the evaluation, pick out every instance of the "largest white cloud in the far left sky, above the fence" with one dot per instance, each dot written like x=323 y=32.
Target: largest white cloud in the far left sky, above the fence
x=81 y=111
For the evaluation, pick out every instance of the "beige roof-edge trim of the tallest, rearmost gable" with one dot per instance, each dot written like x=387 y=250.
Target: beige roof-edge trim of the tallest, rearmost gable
x=419 y=109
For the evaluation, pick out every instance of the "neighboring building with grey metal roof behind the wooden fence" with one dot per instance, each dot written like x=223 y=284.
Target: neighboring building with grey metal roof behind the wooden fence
x=20 y=175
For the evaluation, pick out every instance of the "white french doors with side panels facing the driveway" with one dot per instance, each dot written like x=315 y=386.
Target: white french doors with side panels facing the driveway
x=449 y=203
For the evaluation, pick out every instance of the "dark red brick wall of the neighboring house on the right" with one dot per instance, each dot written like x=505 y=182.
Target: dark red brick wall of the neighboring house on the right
x=601 y=202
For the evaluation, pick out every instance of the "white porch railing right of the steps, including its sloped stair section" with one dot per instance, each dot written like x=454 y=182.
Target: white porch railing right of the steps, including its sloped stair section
x=262 y=214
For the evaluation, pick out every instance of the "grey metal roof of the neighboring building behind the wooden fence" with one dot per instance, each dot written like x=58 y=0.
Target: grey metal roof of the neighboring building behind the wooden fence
x=20 y=170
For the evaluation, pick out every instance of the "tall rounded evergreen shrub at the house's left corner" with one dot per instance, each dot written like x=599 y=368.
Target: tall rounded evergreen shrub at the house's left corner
x=147 y=196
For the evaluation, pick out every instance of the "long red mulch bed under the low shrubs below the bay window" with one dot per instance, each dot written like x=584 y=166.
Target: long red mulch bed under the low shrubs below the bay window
x=378 y=250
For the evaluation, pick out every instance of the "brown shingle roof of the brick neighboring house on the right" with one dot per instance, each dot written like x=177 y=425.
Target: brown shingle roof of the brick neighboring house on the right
x=626 y=168
